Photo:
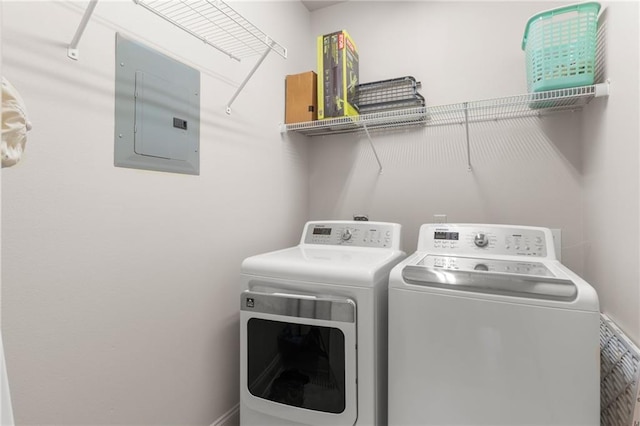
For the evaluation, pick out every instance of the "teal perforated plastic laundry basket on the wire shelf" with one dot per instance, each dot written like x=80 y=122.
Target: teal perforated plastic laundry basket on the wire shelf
x=560 y=47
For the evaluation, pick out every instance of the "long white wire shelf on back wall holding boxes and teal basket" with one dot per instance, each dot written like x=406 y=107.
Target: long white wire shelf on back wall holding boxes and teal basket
x=530 y=104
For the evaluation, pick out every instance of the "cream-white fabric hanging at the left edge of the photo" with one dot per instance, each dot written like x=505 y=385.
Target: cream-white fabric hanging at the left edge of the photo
x=14 y=125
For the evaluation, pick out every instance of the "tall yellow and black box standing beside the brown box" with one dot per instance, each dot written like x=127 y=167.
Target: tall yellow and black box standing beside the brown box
x=337 y=75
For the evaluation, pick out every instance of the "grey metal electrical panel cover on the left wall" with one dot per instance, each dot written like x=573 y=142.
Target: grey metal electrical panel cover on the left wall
x=157 y=111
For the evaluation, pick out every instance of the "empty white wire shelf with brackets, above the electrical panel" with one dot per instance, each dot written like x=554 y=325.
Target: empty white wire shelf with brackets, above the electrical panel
x=211 y=21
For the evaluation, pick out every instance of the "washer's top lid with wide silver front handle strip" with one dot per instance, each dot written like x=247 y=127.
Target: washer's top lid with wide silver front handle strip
x=531 y=280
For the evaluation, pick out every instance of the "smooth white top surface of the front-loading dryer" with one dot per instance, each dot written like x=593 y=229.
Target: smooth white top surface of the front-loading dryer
x=345 y=265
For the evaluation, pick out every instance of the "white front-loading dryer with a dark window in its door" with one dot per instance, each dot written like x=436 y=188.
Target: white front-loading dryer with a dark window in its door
x=313 y=327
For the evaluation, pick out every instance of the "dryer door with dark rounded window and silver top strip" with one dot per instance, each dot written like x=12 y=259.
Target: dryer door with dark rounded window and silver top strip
x=298 y=357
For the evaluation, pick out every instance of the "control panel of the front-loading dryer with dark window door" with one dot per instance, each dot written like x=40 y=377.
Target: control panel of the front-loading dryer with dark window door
x=353 y=233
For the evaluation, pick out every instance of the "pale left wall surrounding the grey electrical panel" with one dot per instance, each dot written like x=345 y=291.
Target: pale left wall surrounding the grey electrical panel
x=119 y=286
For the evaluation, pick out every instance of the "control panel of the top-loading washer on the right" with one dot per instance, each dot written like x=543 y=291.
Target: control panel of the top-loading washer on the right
x=481 y=239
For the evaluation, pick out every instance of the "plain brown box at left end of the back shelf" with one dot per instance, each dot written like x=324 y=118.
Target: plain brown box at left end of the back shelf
x=301 y=103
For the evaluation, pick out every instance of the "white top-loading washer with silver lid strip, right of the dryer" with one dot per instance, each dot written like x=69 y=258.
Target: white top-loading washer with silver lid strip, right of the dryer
x=486 y=327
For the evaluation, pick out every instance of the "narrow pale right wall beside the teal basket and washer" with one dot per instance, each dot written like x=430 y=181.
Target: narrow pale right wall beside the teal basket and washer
x=611 y=176
